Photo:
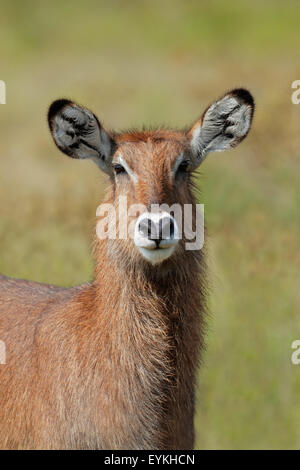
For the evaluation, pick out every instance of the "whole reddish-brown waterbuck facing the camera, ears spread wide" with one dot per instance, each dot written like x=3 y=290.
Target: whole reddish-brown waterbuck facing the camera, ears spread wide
x=111 y=364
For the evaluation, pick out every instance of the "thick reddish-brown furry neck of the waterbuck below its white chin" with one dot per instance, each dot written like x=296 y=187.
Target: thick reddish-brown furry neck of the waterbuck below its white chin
x=154 y=329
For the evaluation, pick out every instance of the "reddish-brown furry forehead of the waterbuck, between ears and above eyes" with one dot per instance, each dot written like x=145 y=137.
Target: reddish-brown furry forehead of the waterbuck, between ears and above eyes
x=145 y=148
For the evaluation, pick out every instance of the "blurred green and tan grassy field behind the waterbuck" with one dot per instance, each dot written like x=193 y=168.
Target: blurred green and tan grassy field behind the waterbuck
x=154 y=62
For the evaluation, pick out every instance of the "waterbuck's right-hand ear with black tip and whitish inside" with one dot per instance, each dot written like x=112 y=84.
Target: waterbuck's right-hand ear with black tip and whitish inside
x=223 y=125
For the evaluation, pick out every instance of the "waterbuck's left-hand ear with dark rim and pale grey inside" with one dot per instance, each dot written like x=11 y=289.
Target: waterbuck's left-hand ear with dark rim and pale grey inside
x=78 y=133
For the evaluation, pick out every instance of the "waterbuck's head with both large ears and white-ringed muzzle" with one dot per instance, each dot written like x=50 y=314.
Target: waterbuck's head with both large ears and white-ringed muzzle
x=151 y=171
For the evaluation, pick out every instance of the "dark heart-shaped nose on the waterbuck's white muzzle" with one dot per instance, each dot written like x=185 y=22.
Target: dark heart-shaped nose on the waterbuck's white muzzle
x=161 y=229
